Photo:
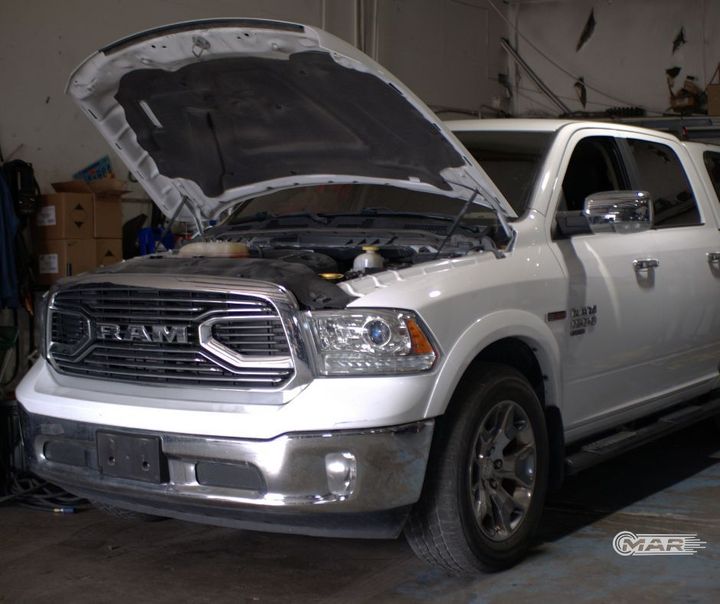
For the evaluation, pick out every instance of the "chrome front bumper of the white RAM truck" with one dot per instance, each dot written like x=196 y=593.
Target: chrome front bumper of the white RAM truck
x=391 y=464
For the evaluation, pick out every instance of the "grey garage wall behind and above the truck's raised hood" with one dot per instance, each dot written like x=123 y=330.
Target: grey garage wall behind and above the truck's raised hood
x=442 y=48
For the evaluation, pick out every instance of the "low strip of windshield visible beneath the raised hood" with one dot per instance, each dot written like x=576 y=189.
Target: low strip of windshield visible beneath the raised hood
x=332 y=200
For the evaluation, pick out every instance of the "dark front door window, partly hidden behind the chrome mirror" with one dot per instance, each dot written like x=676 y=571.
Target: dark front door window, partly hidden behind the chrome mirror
x=594 y=166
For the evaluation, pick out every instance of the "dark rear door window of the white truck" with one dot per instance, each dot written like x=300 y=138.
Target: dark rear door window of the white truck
x=660 y=172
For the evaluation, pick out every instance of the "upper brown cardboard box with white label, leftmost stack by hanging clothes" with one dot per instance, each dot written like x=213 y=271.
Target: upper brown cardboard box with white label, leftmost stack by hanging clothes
x=64 y=216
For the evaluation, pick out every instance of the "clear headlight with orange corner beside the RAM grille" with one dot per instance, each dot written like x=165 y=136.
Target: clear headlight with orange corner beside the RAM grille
x=351 y=342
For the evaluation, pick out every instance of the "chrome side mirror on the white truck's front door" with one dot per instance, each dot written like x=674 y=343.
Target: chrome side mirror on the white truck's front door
x=619 y=211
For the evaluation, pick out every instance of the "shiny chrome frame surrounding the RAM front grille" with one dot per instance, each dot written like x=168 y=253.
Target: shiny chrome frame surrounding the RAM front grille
x=283 y=301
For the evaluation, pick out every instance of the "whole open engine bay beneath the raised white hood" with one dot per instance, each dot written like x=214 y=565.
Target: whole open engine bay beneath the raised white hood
x=310 y=239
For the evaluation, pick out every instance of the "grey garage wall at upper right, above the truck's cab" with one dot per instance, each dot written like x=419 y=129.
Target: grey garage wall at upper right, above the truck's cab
x=626 y=57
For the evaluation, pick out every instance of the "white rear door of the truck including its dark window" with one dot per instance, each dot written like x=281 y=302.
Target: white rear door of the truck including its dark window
x=687 y=278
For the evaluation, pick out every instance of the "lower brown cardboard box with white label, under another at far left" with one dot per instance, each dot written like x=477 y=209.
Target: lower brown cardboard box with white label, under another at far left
x=58 y=258
